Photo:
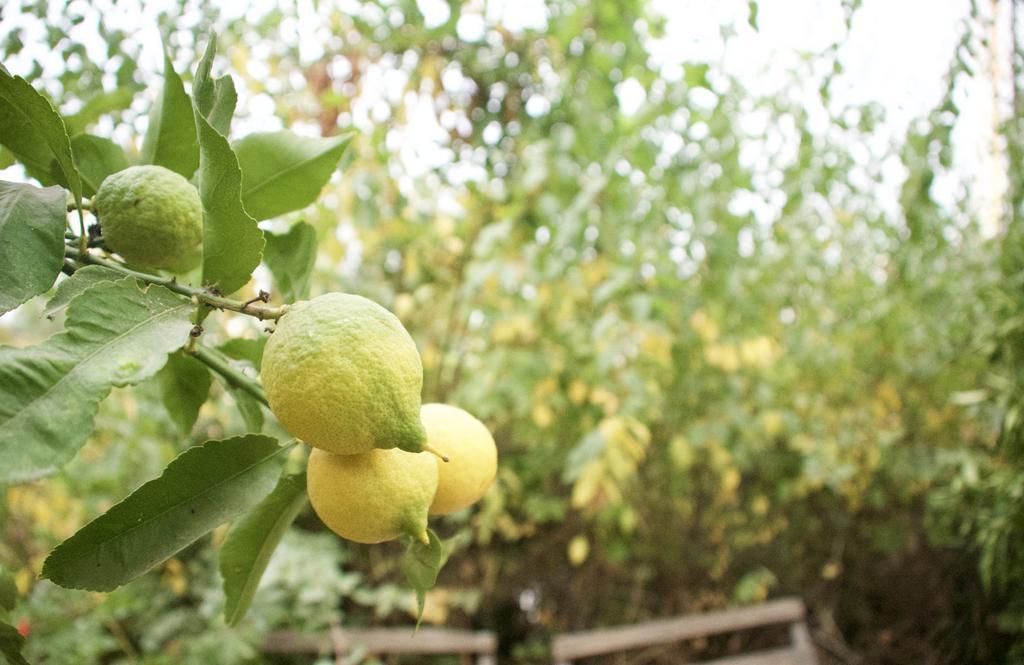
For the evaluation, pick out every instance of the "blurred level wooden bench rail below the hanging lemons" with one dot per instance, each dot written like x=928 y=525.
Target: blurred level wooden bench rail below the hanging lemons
x=385 y=642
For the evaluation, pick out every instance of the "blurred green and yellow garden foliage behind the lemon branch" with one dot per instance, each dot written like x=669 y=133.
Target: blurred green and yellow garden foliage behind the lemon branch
x=721 y=364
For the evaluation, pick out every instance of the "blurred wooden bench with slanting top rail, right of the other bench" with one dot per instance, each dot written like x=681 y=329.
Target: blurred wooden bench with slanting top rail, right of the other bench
x=570 y=647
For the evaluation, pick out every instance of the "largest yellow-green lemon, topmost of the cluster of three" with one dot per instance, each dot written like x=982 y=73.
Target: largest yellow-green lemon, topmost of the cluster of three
x=343 y=375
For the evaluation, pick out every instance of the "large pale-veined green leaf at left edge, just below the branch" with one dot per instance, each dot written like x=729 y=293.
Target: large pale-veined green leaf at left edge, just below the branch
x=116 y=336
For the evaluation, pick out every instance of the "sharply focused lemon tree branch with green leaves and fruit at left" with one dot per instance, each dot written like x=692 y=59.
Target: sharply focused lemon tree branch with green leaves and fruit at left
x=169 y=236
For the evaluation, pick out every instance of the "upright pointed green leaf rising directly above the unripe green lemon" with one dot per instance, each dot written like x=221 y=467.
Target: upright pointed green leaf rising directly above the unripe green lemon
x=170 y=139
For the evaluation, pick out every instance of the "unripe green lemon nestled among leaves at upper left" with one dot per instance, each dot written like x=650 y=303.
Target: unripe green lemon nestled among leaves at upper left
x=152 y=217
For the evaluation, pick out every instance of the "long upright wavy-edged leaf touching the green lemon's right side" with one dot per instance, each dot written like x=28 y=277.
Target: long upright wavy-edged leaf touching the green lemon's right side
x=233 y=244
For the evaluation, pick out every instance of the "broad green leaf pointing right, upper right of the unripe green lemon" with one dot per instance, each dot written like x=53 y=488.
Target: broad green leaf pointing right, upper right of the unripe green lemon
x=282 y=172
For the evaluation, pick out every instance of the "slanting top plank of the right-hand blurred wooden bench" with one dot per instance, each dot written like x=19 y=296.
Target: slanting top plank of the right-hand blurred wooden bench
x=609 y=641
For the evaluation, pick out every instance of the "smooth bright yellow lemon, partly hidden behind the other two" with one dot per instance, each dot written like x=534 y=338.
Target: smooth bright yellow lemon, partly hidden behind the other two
x=472 y=452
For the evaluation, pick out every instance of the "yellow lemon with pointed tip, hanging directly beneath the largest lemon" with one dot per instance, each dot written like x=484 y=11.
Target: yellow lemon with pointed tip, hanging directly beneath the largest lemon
x=374 y=496
